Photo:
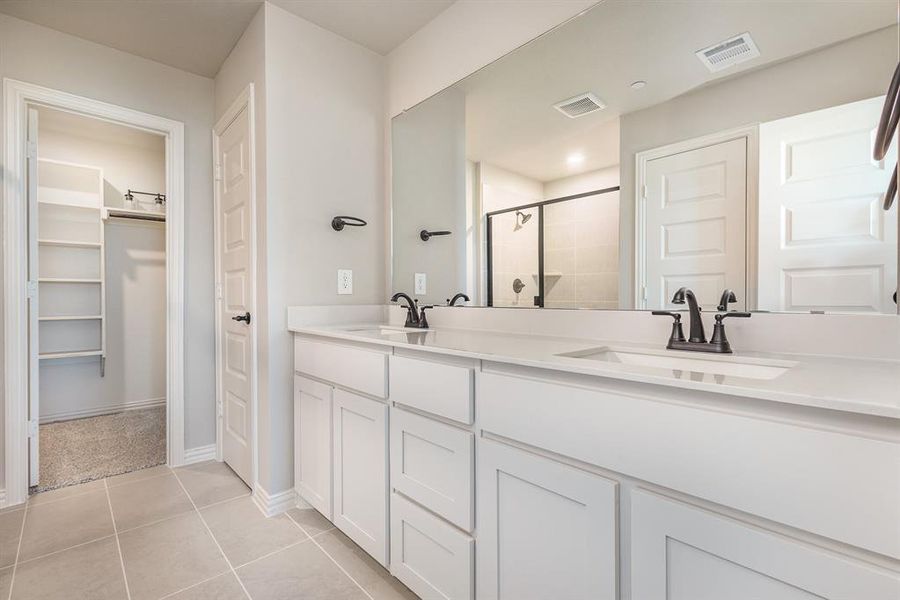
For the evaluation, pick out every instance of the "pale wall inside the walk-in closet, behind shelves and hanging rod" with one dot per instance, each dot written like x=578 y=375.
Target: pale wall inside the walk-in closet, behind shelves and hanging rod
x=135 y=282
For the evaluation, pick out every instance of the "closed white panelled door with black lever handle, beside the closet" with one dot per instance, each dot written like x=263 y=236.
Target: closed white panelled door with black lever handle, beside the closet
x=235 y=282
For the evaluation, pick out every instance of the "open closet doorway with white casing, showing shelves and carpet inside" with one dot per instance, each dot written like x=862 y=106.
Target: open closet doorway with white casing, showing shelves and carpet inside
x=94 y=367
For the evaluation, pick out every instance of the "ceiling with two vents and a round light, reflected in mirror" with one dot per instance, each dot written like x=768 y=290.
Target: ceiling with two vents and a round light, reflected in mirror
x=510 y=120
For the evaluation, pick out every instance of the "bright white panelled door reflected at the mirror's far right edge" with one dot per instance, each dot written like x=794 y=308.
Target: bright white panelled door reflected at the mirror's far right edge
x=825 y=243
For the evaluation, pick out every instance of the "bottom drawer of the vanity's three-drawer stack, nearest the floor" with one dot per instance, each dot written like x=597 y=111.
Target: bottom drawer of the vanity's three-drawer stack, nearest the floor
x=433 y=559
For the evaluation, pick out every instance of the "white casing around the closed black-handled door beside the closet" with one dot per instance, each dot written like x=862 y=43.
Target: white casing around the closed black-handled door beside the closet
x=245 y=99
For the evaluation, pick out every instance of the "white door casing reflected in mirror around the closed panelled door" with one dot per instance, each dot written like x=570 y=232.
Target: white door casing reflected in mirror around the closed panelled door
x=750 y=133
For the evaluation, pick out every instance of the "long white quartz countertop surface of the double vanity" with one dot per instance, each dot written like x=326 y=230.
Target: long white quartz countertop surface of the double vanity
x=862 y=386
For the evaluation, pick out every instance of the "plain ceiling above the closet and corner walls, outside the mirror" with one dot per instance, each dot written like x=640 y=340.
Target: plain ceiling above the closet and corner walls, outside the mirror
x=197 y=35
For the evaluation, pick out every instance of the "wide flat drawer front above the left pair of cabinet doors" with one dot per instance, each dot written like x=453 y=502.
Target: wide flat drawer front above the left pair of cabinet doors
x=352 y=367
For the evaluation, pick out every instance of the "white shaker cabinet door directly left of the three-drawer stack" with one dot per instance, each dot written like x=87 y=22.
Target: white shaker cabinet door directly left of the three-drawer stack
x=360 y=472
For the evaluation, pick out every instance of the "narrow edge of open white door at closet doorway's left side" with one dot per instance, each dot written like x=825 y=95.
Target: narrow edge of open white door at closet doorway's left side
x=33 y=304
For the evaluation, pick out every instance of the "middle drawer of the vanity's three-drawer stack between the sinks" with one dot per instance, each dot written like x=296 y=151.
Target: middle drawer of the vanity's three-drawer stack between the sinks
x=433 y=464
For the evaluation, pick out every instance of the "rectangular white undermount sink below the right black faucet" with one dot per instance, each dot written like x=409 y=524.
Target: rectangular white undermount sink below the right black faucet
x=728 y=366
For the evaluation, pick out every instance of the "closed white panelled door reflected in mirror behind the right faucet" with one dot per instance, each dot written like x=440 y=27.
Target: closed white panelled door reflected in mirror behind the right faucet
x=695 y=206
